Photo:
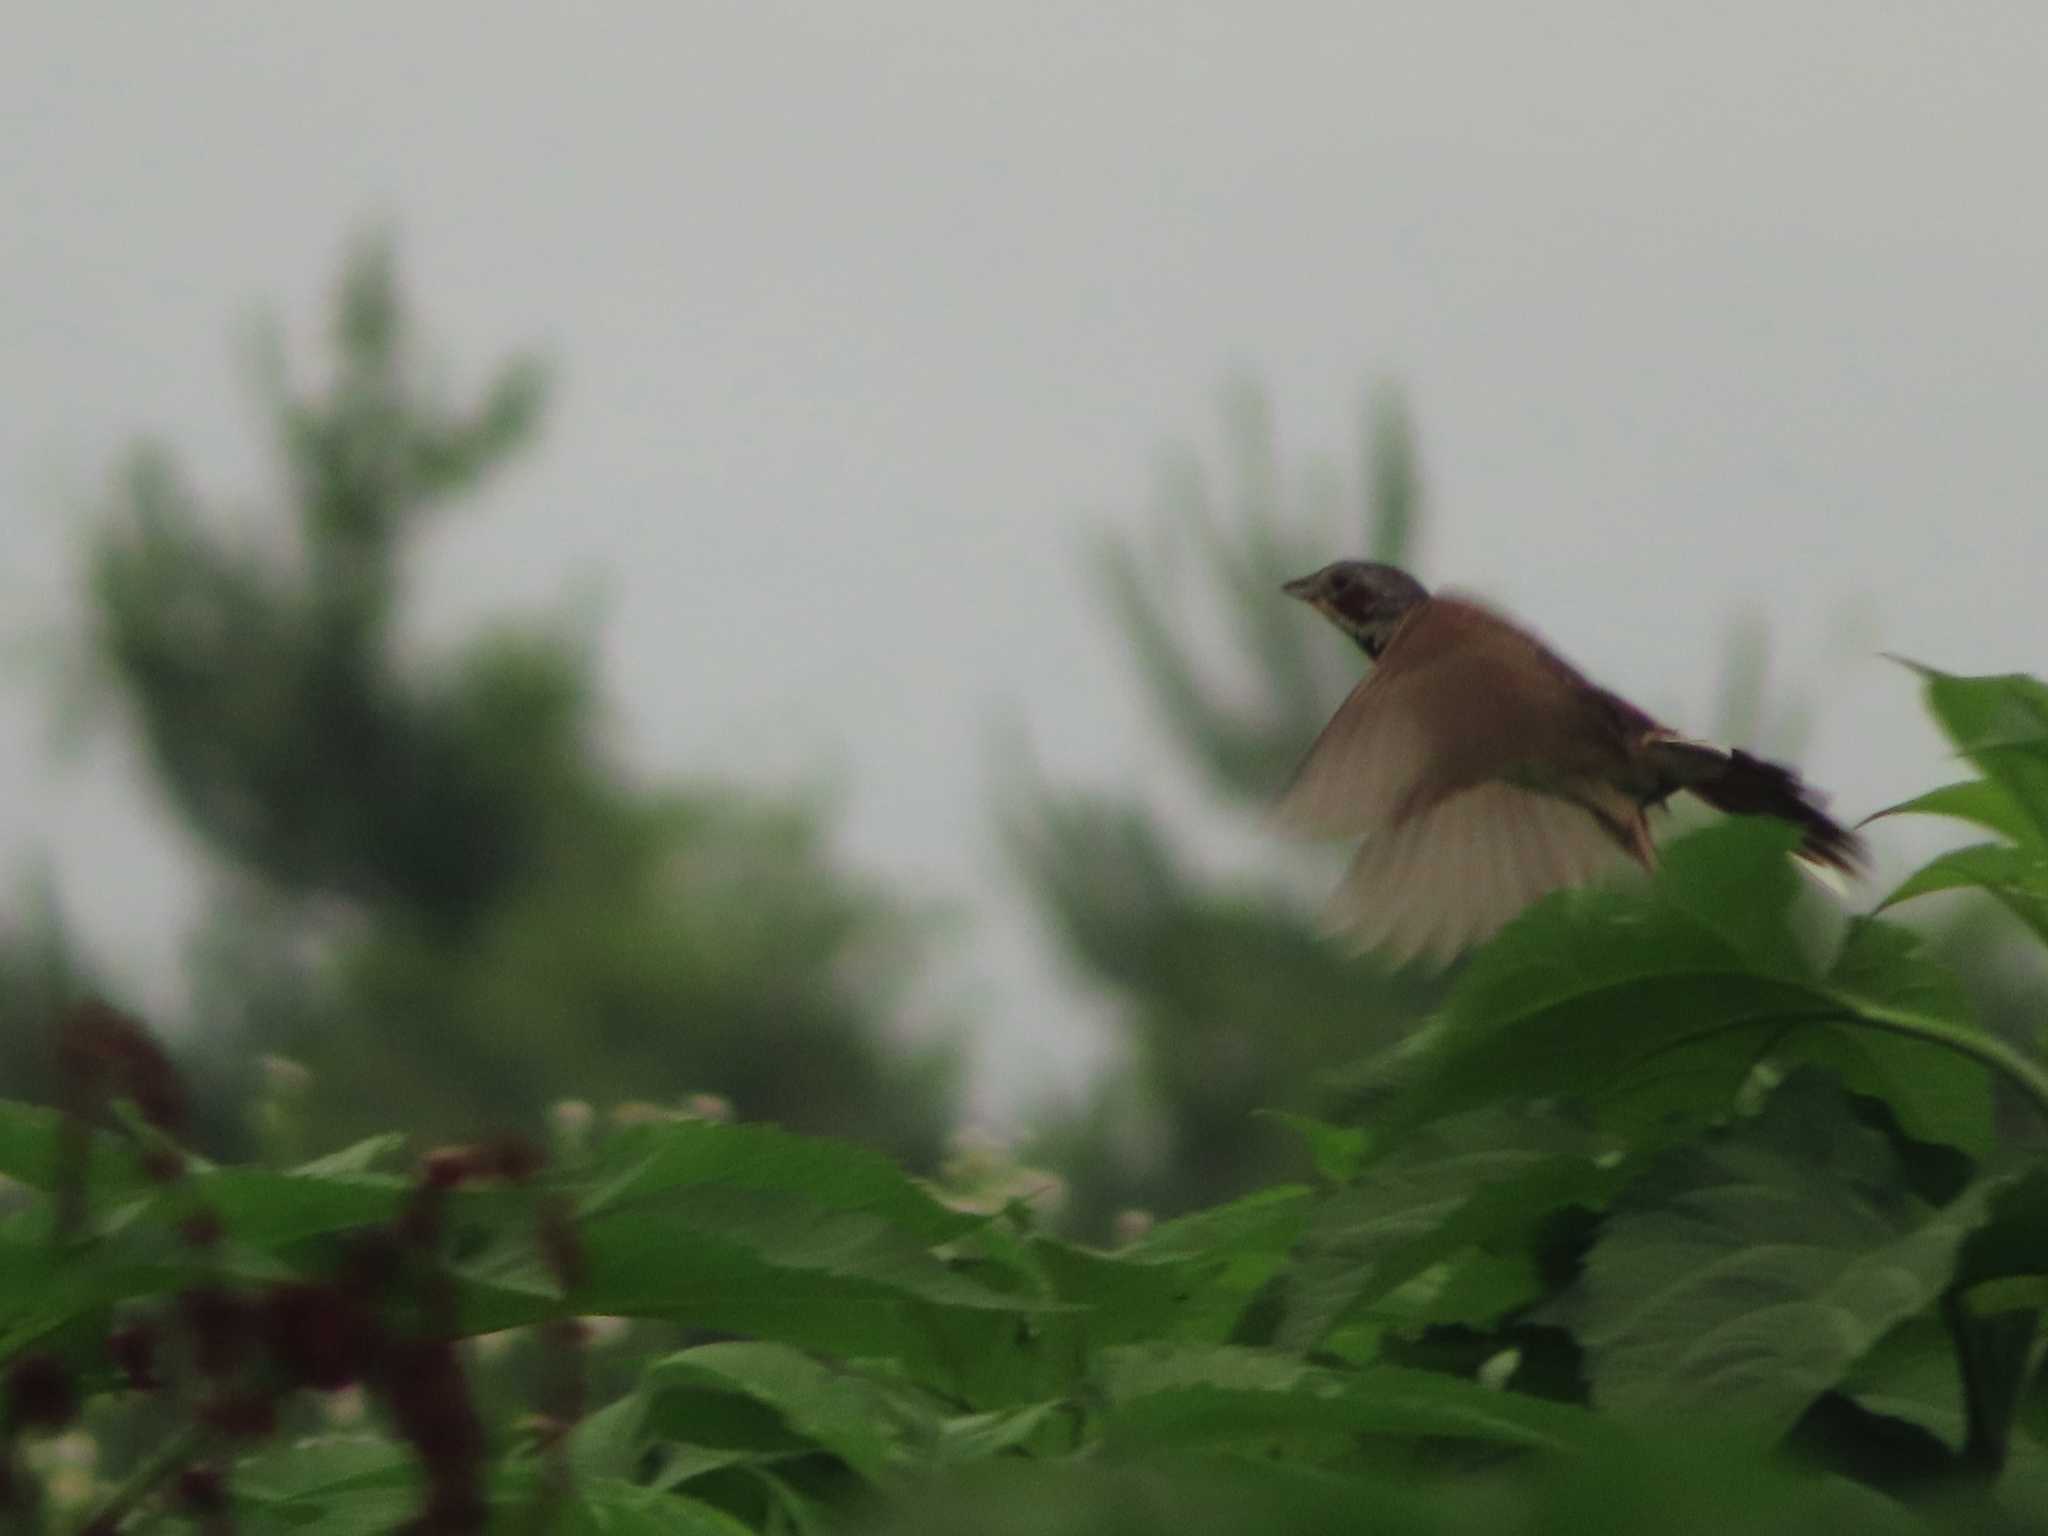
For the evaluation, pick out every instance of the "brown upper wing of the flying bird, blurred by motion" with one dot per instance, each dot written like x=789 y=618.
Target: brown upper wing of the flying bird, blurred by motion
x=1461 y=697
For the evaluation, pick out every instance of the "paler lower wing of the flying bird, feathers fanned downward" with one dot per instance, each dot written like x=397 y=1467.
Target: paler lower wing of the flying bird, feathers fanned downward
x=1453 y=876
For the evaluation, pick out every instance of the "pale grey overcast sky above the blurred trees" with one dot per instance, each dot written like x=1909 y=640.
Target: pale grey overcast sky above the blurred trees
x=867 y=310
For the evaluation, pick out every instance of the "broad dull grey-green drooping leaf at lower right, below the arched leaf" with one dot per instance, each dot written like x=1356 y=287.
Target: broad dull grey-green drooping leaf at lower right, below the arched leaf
x=1746 y=1275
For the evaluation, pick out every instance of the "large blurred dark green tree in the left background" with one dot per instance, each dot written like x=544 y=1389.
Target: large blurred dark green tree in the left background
x=435 y=888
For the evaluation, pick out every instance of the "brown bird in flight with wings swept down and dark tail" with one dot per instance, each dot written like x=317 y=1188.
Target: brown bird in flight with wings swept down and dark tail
x=1482 y=771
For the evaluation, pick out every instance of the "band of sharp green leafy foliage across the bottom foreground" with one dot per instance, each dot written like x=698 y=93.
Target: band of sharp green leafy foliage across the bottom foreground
x=1682 y=1215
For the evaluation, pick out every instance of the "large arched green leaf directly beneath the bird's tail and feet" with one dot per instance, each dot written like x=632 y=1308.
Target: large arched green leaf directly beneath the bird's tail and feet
x=1656 y=1007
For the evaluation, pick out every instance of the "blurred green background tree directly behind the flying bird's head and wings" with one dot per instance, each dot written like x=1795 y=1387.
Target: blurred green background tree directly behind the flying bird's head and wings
x=1230 y=1002
